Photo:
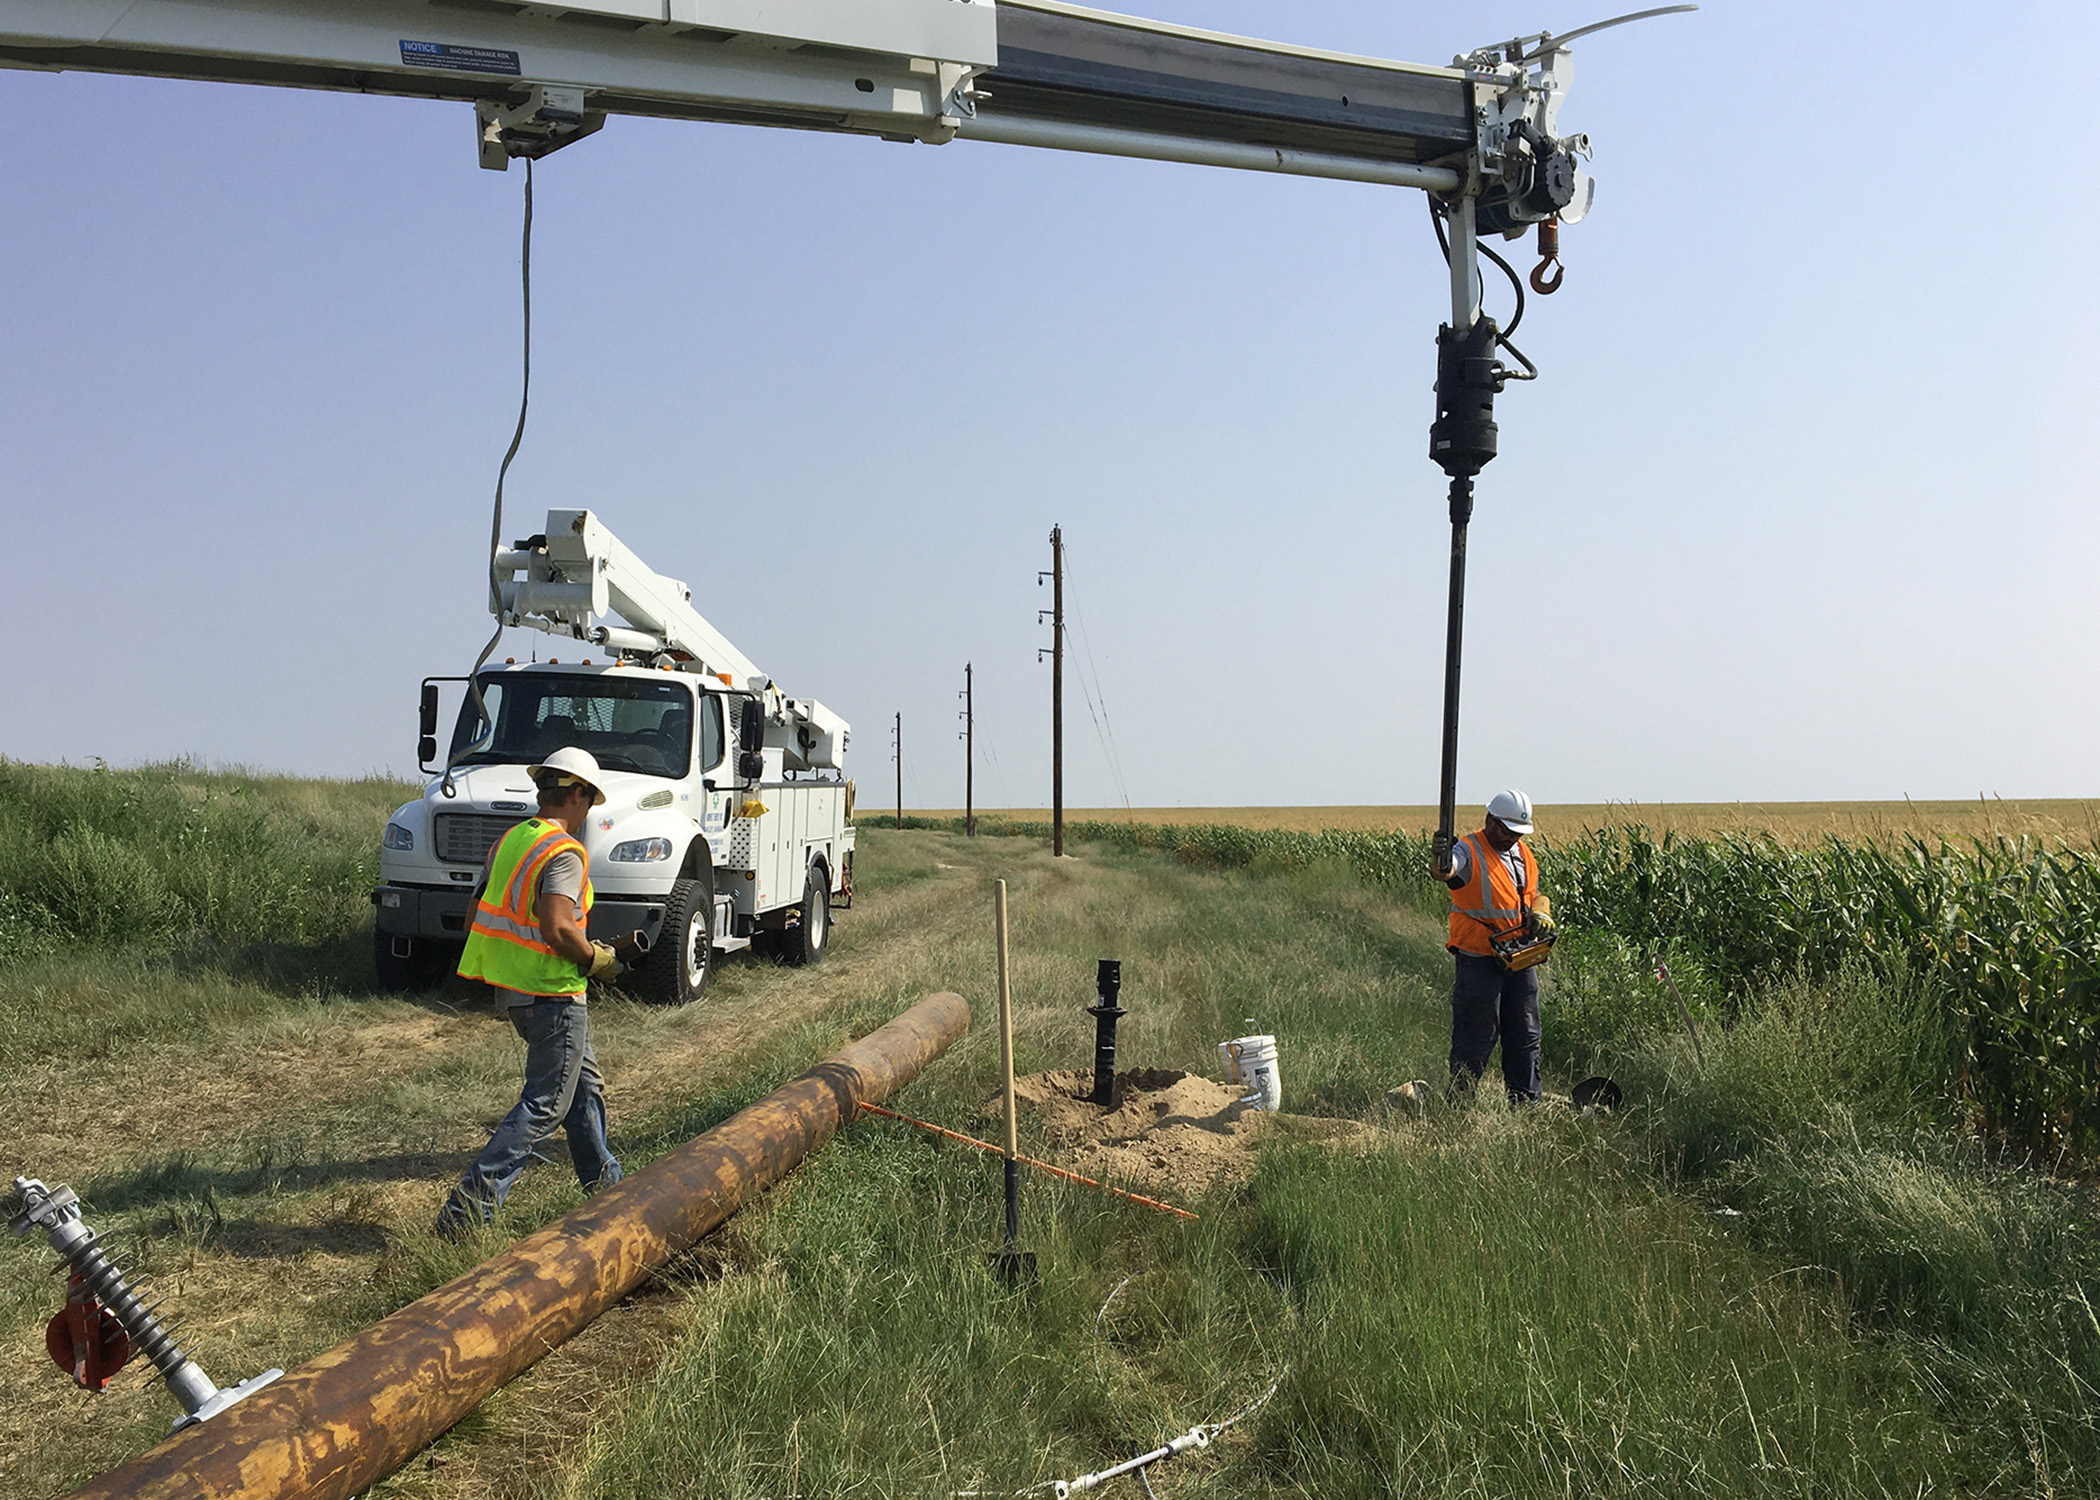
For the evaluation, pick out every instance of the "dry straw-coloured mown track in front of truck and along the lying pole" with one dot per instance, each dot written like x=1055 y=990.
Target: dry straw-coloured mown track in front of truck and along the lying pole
x=400 y=1096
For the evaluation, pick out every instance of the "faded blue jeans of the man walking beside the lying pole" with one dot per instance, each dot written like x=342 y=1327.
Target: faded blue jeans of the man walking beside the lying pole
x=562 y=1089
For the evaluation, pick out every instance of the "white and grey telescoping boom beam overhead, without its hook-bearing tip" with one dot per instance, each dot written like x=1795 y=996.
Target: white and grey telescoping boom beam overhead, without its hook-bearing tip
x=923 y=70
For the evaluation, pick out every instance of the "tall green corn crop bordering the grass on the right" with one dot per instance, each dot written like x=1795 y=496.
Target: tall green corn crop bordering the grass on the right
x=2007 y=930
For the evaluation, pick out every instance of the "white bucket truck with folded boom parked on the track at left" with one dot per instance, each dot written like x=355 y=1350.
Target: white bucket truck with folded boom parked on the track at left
x=728 y=818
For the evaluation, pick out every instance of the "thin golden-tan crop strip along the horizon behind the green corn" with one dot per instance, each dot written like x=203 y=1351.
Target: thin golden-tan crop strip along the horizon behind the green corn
x=2055 y=820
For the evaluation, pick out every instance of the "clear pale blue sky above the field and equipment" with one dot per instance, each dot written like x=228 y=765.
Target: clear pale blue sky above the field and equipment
x=1803 y=505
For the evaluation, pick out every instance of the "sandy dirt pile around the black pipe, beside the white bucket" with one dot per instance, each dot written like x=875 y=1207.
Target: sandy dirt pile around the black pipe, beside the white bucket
x=1169 y=1131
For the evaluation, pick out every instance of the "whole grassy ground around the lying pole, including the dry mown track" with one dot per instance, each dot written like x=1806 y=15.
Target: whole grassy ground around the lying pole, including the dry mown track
x=1788 y=1268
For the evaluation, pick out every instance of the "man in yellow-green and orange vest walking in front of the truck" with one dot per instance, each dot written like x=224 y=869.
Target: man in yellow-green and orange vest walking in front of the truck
x=530 y=946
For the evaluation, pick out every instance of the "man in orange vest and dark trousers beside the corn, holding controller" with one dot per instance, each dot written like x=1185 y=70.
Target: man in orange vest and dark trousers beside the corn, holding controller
x=1494 y=881
